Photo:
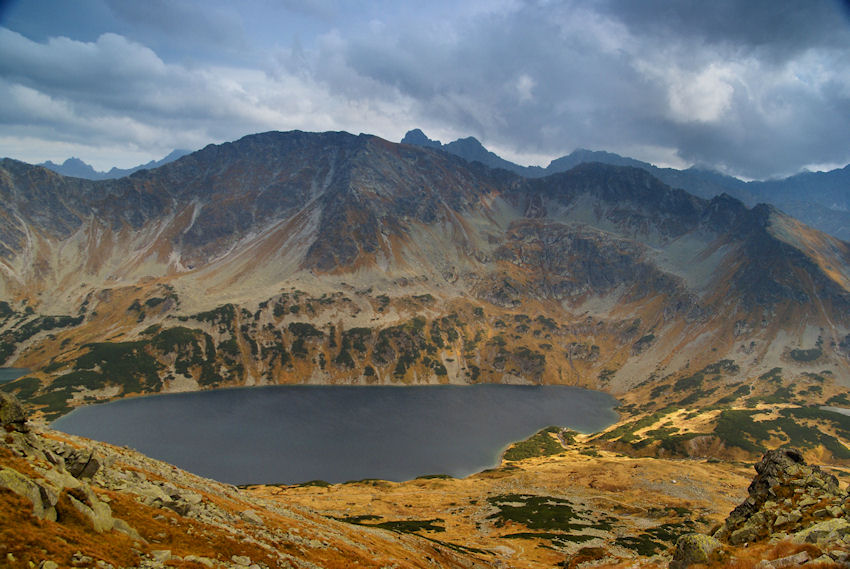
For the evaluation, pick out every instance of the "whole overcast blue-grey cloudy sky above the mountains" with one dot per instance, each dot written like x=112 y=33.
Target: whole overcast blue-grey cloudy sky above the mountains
x=754 y=88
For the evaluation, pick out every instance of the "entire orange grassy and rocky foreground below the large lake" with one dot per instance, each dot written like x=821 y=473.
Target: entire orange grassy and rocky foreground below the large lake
x=559 y=502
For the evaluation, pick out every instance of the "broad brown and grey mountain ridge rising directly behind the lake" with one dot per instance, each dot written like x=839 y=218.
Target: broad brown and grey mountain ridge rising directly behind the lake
x=332 y=258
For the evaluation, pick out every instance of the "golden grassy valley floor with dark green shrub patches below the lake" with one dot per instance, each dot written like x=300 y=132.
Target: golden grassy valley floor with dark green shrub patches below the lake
x=543 y=511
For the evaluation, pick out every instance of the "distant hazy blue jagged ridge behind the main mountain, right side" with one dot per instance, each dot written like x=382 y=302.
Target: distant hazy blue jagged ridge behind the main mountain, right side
x=819 y=199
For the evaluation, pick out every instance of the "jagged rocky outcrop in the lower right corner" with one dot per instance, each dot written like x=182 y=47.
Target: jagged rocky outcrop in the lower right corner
x=788 y=500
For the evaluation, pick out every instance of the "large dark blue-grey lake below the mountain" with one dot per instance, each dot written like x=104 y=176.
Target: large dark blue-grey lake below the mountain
x=290 y=434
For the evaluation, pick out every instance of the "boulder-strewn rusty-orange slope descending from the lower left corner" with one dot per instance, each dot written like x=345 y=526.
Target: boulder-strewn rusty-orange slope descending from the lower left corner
x=71 y=502
